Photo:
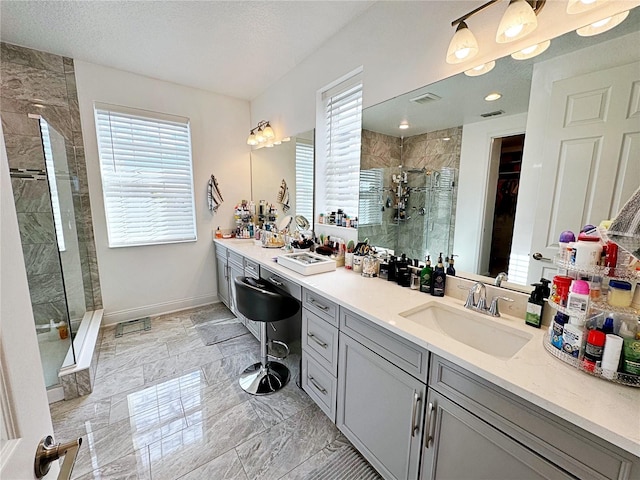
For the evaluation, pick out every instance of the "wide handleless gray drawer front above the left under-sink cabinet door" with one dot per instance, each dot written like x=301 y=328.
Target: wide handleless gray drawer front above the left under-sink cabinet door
x=405 y=354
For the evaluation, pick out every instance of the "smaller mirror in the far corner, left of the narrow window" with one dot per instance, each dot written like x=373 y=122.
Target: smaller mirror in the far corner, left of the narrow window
x=290 y=162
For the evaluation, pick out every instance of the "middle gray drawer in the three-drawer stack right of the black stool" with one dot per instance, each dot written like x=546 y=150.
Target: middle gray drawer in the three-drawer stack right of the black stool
x=320 y=340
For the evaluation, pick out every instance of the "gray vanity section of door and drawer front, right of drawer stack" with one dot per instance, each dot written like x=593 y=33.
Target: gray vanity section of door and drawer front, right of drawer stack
x=380 y=405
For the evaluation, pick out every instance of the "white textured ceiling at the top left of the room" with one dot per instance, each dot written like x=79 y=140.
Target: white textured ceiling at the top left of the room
x=237 y=48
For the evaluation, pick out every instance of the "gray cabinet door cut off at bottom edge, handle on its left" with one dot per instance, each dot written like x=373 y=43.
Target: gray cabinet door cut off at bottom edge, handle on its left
x=459 y=445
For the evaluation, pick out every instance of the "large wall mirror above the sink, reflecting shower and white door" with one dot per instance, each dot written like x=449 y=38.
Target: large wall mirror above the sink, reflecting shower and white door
x=445 y=170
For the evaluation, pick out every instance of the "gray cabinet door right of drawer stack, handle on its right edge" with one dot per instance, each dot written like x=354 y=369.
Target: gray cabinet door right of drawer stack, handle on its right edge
x=380 y=410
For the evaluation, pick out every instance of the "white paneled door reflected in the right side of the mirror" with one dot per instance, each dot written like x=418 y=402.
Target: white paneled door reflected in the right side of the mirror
x=590 y=166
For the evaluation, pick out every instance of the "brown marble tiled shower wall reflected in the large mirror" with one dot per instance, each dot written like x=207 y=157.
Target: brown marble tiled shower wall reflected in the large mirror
x=430 y=151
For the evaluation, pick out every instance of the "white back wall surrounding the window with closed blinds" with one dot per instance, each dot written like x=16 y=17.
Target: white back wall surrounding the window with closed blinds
x=139 y=281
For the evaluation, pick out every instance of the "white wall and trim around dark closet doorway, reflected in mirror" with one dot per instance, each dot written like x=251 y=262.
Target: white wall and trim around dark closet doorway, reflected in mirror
x=474 y=186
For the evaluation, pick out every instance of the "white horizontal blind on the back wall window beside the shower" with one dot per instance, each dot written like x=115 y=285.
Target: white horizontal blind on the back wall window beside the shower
x=147 y=177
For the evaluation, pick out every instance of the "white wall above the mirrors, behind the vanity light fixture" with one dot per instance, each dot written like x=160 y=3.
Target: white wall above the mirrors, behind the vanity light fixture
x=402 y=46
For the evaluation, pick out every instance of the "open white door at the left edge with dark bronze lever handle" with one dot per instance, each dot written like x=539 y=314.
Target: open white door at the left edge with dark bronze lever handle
x=25 y=410
